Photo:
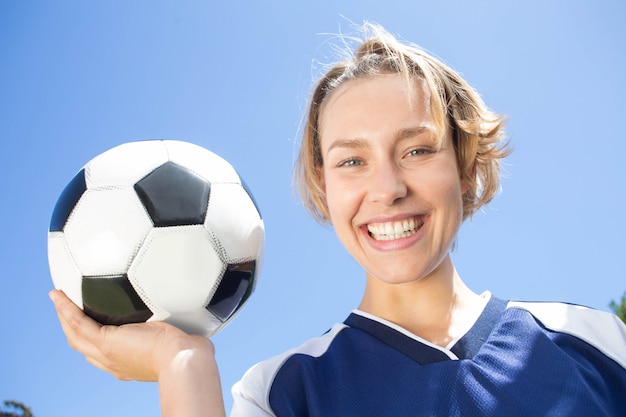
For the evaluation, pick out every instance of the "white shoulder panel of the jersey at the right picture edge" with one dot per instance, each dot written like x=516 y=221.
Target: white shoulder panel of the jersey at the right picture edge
x=602 y=330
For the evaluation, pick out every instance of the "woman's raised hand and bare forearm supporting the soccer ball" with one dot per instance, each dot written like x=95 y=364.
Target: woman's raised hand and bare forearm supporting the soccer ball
x=183 y=365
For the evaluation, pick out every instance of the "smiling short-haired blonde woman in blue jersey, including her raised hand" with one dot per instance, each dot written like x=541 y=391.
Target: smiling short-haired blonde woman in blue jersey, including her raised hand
x=398 y=150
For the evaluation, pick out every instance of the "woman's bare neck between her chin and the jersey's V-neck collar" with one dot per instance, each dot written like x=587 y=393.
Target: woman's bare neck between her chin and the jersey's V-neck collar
x=439 y=308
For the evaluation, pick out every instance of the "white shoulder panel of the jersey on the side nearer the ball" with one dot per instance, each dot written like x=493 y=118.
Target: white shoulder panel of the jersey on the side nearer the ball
x=251 y=394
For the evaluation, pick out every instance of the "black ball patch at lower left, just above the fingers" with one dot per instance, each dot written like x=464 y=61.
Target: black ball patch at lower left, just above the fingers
x=113 y=300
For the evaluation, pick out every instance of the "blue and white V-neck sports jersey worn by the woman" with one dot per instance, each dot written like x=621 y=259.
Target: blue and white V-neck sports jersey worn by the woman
x=519 y=359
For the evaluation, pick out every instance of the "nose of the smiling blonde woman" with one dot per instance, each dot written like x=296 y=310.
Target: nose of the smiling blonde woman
x=387 y=184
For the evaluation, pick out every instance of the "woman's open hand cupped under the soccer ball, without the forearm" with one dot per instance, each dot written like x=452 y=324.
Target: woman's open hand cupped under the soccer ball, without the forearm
x=129 y=352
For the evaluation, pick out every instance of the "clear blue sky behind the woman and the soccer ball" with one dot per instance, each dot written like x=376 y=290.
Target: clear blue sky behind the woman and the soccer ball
x=79 y=77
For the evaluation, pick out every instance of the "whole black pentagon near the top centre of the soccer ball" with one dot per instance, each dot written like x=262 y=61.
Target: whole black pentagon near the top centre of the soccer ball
x=174 y=196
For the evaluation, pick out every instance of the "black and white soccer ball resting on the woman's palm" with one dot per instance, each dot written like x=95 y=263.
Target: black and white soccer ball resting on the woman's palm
x=157 y=230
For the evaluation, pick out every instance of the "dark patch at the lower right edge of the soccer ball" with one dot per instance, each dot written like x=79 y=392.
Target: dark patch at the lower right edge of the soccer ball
x=235 y=288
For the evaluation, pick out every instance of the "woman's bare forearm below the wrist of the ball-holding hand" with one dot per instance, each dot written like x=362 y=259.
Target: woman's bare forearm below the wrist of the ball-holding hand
x=189 y=385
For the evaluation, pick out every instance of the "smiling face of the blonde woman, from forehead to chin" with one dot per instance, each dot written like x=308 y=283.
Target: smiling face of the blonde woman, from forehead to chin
x=393 y=193
